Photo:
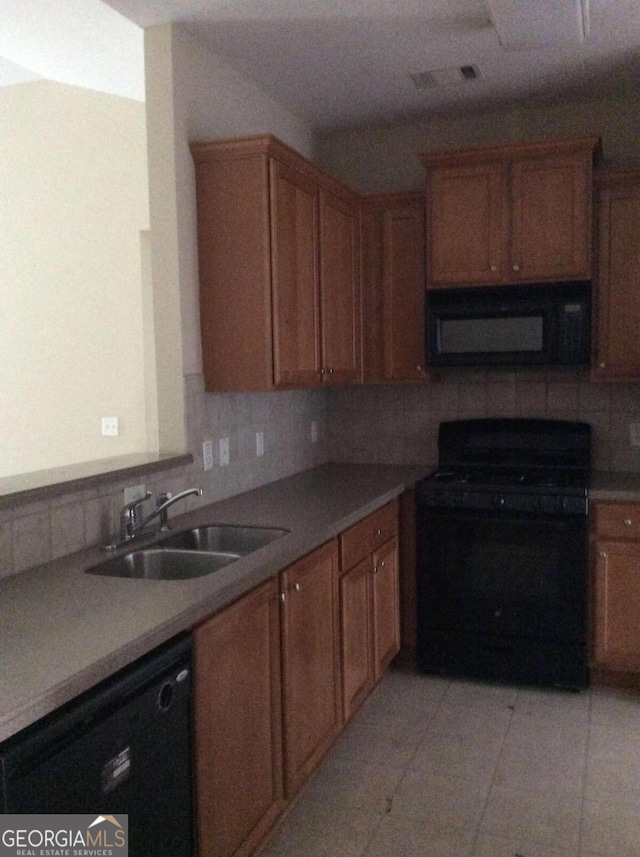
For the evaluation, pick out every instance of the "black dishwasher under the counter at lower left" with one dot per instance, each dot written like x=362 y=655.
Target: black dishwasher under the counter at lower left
x=122 y=747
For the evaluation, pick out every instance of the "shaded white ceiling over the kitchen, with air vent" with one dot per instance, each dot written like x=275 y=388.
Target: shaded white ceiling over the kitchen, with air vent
x=348 y=62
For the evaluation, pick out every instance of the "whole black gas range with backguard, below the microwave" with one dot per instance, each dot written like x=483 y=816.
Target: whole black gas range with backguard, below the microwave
x=502 y=552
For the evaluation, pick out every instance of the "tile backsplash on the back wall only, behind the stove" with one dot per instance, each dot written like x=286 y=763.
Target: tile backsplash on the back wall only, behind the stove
x=399 y=424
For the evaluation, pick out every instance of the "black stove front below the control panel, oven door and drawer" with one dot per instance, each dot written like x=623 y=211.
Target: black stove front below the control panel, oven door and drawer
x=504 y=584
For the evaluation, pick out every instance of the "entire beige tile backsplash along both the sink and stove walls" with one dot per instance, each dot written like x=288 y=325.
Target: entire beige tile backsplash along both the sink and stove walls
x=377 y=424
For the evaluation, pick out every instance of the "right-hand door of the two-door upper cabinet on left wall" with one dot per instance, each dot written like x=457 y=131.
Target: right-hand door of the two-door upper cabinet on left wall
x=339 y=289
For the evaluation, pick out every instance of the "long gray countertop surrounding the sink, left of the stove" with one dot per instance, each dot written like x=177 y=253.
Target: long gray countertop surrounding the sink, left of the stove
x=62 y=631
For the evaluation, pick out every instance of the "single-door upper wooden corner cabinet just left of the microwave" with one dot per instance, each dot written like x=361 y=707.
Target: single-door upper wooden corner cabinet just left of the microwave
x=393 y=287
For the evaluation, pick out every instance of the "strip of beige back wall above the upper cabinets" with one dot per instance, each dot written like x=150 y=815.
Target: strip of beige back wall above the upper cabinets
x=384 y=158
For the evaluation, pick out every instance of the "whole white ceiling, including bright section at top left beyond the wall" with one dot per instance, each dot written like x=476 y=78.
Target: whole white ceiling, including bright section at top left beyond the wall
x=344 y=63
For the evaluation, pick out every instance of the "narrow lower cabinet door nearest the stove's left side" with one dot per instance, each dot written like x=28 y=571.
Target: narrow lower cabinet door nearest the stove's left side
x=386 y=610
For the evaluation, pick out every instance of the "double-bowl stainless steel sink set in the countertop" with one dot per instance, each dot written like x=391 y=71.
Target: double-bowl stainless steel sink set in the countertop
x=159 y=564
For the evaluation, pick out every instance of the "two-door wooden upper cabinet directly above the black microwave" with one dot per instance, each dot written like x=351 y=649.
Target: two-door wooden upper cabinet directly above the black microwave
x=513 y=213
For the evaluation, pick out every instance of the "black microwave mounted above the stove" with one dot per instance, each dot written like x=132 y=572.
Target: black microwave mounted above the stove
x=539 y=325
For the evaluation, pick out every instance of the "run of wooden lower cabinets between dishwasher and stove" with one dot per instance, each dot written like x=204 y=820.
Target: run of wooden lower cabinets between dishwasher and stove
x=274 y=673
